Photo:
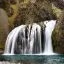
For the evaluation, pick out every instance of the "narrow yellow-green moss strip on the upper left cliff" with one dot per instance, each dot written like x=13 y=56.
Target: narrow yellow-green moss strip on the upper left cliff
x=12 y=18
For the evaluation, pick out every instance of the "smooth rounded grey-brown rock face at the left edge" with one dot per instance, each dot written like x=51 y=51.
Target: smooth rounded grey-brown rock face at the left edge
x=3 y=28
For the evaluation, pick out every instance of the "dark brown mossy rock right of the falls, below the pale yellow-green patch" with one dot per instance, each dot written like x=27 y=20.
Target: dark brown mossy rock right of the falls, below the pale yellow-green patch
x=58 y=35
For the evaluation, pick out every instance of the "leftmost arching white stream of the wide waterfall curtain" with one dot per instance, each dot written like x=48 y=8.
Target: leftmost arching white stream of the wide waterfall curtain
x=11 y=39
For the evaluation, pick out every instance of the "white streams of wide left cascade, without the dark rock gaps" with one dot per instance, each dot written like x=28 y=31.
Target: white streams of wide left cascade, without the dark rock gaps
x=12 y=37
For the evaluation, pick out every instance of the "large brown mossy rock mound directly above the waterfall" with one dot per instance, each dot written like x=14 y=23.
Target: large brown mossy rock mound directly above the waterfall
x=36 y=12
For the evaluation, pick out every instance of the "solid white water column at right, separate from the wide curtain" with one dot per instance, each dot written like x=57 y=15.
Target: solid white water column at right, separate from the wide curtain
x=48 y=49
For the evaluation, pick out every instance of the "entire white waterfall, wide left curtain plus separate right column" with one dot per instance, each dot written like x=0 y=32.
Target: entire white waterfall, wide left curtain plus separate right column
x=27 y=39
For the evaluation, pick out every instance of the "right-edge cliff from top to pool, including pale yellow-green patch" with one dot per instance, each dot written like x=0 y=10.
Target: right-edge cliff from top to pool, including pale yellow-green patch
x=58 y=34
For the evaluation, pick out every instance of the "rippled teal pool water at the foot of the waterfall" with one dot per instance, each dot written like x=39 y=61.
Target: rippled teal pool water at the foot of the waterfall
x=33 y=59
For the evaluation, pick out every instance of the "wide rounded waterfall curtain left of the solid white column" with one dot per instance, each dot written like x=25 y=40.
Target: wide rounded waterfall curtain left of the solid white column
x=22 y=39
